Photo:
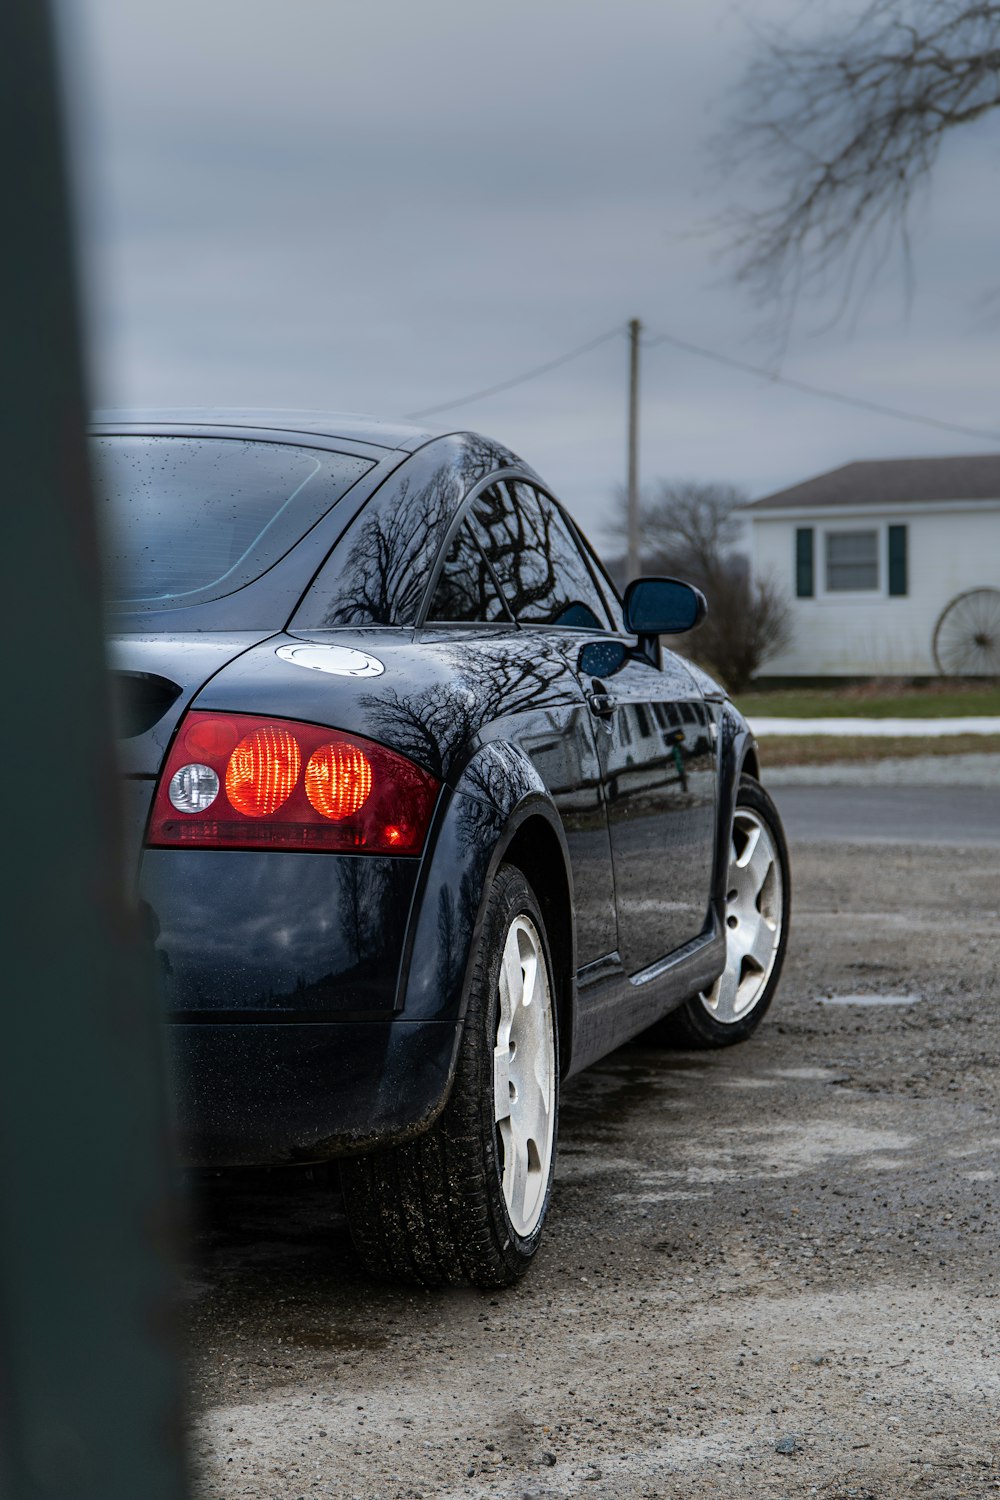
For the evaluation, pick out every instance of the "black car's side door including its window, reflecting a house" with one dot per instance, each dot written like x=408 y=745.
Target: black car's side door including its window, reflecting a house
x=651 y=728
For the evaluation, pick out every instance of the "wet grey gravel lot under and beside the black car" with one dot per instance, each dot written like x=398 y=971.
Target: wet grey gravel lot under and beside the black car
x=768 y=1273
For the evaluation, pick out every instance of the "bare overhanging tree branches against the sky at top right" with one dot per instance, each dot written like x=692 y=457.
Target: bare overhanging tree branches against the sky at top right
x=846 y=128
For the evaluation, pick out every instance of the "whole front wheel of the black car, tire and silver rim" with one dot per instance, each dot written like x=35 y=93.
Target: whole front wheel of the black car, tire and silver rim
x=758 y=899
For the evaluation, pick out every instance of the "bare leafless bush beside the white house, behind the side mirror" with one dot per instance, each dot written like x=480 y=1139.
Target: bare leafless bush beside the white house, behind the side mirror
x=690 y=532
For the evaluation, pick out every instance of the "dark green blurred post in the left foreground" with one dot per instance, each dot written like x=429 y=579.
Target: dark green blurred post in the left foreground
x=89 y=1387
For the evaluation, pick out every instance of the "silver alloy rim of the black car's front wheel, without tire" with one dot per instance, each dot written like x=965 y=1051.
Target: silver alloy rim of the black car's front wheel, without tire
x=753 y=920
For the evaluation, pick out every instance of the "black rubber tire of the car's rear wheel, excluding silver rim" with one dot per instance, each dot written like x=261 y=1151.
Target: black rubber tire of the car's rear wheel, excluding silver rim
x=434 y=1211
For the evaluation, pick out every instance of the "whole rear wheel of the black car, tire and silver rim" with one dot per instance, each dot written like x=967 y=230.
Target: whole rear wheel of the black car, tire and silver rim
x=467 y=1201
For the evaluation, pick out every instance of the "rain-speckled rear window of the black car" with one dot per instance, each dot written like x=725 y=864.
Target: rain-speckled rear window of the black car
x=191 y=520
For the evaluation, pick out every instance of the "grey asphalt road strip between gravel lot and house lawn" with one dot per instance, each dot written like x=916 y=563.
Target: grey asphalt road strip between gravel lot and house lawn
x=923 y=815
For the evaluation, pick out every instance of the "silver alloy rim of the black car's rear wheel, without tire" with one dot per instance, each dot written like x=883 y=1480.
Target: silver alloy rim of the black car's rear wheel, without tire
x=525 y=1075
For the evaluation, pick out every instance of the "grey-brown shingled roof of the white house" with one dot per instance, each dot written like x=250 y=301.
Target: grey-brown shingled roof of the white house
x=893 y=482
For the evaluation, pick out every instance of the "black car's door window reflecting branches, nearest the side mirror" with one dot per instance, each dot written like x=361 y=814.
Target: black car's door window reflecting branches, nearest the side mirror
x=536 y=559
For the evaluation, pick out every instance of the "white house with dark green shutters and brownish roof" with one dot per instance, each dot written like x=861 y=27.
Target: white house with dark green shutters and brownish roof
x=873 y=554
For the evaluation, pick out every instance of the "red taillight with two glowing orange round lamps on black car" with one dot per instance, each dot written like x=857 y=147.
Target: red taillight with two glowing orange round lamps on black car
x=242 y=782
